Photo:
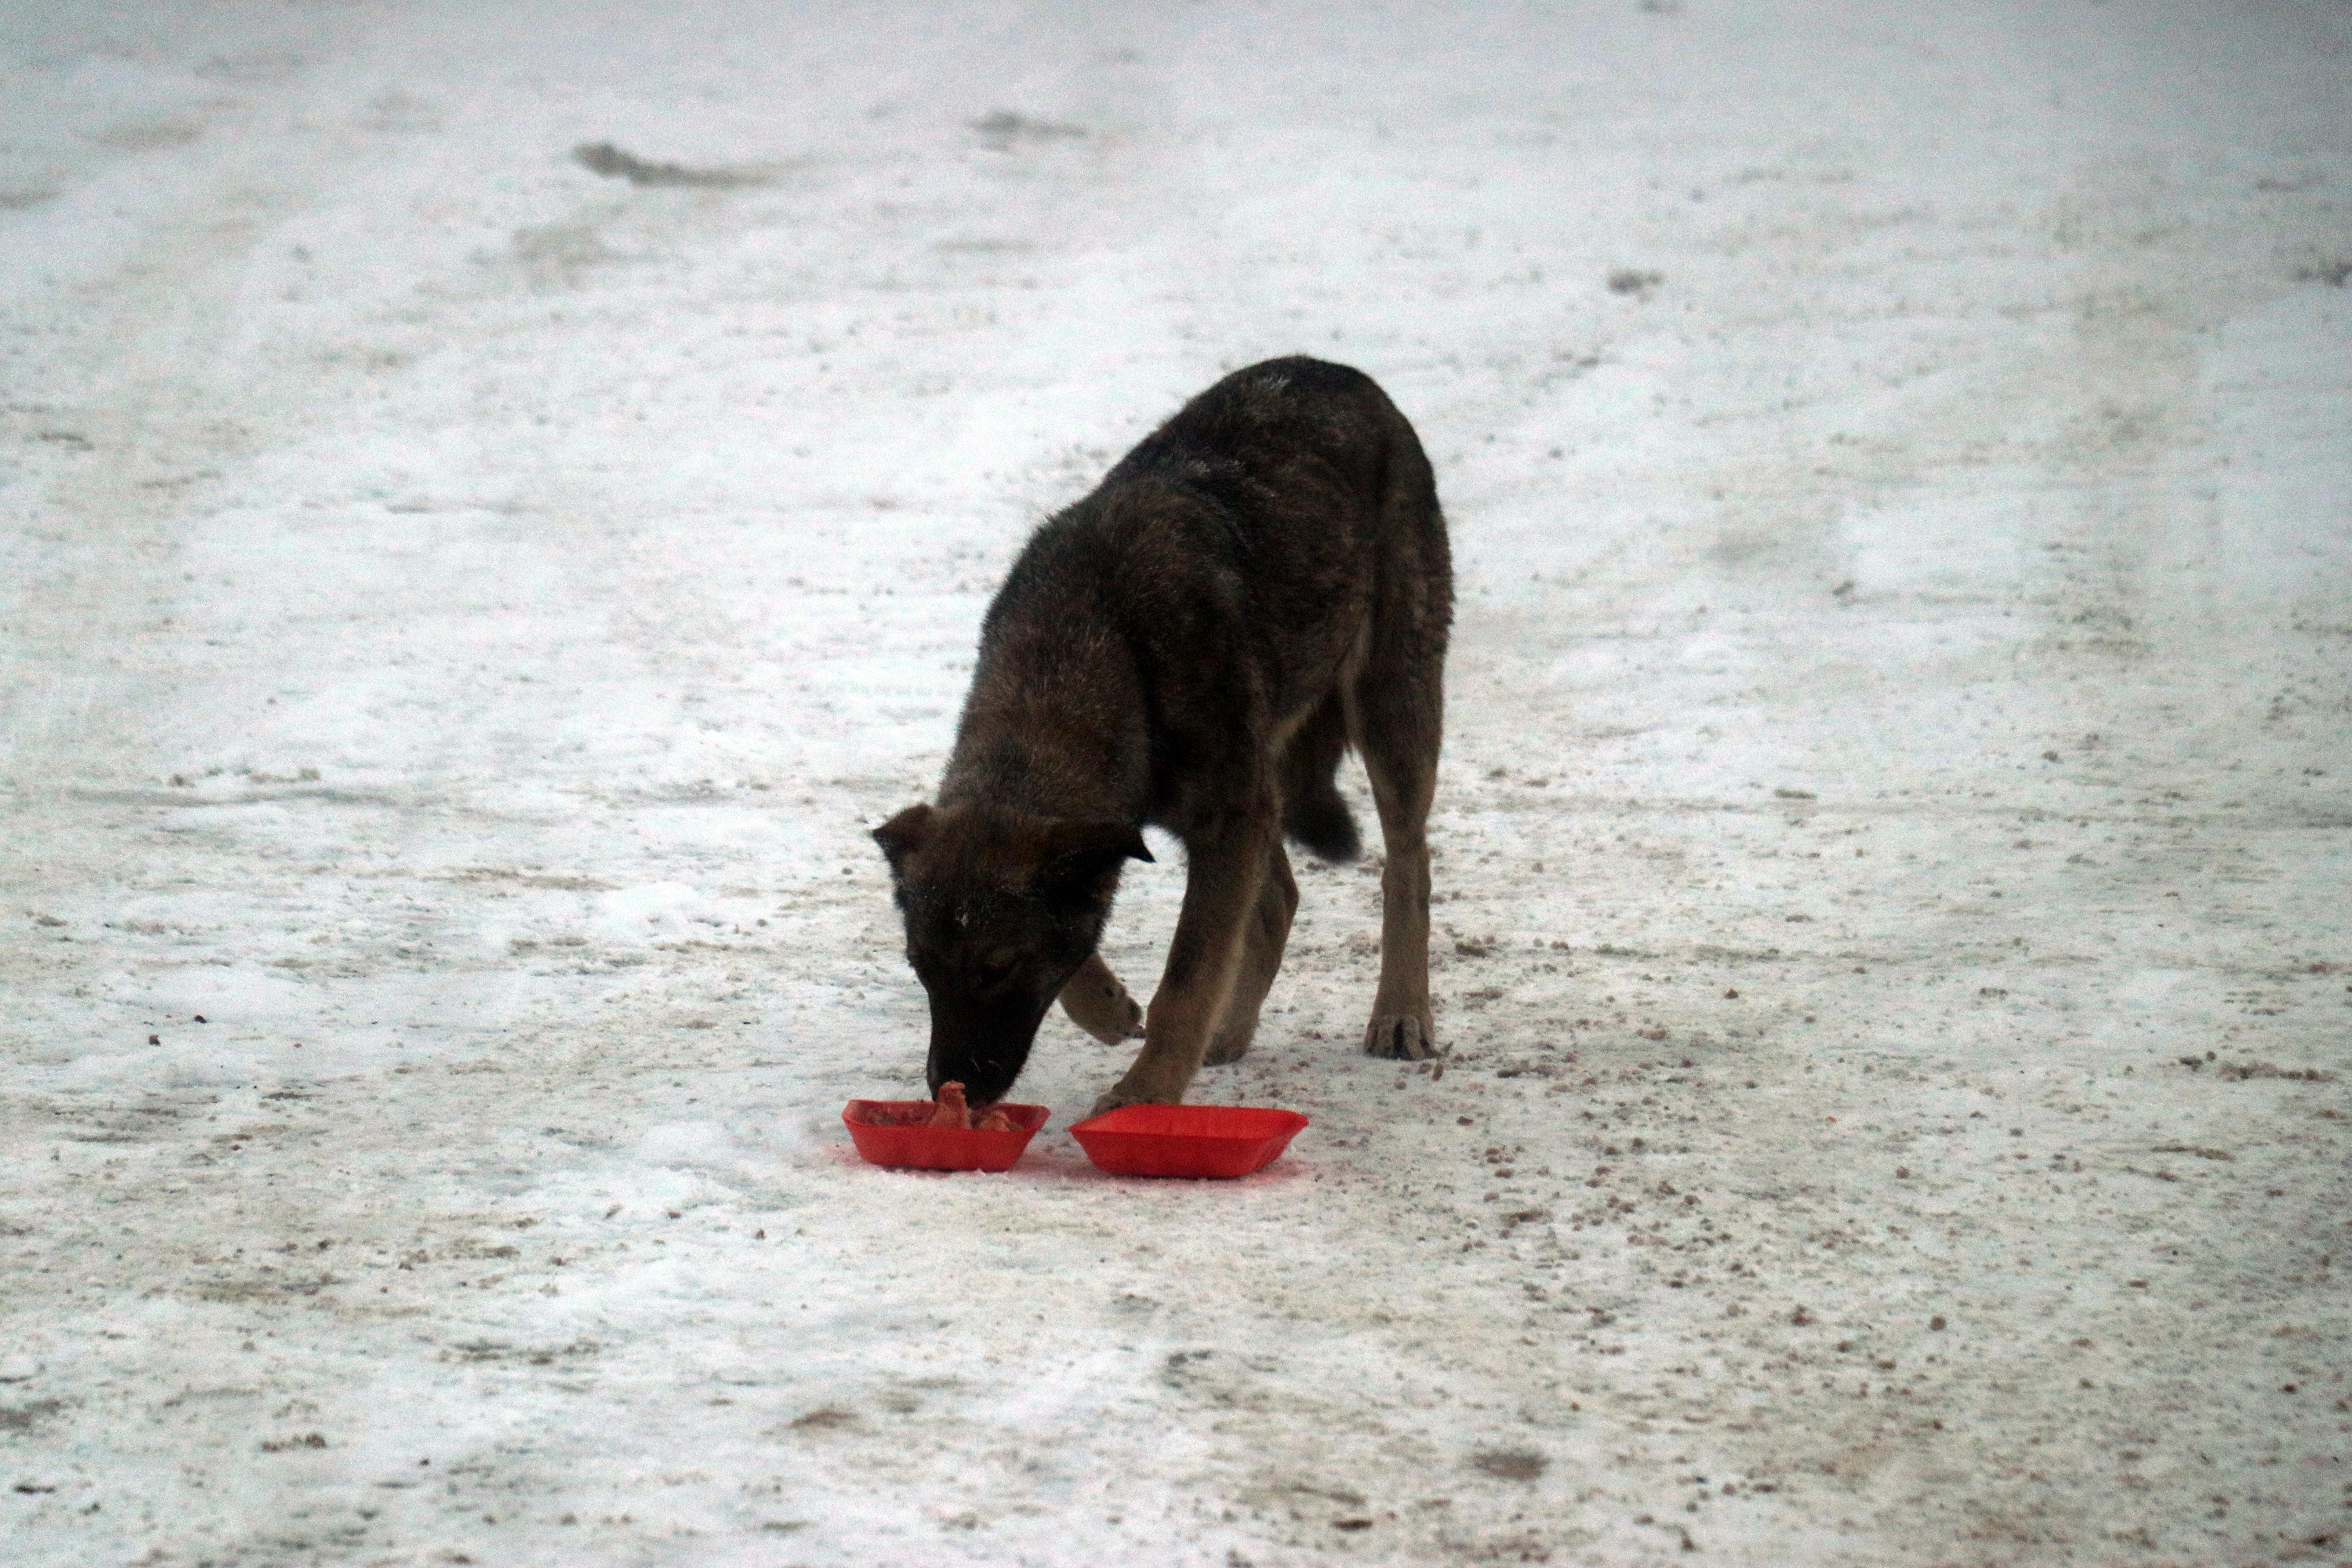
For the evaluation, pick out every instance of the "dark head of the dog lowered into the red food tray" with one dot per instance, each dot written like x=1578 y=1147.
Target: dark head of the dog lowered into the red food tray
x=1001 y=911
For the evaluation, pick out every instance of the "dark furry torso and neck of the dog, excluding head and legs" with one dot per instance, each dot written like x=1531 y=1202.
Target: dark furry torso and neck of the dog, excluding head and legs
x=1212 y=598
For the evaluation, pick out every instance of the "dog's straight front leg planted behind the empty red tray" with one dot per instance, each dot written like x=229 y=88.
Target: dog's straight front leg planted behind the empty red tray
x=1220 y=892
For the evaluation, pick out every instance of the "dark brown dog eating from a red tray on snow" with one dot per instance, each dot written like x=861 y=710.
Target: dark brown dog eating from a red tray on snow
x=1250 y=594
